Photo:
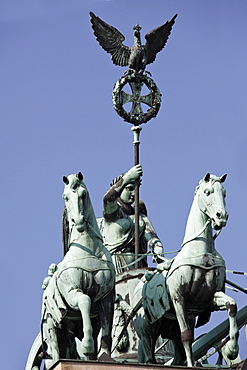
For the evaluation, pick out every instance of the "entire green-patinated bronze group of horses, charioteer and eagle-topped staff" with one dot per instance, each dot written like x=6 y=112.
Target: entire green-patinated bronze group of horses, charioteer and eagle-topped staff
x=78 y=299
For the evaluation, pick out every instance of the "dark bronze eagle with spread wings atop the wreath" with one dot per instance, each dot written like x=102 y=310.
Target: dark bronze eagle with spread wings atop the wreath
x=137 y=56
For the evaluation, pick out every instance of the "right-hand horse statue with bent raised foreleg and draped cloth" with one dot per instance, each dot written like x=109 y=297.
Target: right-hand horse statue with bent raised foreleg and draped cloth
x=192 y=286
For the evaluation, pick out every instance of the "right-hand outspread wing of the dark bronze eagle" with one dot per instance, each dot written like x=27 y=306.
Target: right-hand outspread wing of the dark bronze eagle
x=157 y=38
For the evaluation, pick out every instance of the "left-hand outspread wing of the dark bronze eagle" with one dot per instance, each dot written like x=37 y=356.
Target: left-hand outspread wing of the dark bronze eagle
x=111 y=40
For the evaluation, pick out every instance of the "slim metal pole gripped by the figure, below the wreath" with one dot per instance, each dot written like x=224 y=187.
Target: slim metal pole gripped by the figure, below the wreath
x=136 y=131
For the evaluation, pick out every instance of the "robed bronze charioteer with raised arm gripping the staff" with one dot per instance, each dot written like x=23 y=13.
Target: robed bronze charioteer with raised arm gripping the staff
x=117 y=225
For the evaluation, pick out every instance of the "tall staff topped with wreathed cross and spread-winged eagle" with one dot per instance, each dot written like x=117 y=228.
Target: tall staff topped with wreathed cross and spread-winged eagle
x=136 y=58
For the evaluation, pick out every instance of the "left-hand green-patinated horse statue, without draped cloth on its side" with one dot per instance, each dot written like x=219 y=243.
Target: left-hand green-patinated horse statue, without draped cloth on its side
x=79 y=297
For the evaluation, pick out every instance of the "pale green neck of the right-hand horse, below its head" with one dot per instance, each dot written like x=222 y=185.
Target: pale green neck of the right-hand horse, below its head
x=196 y=232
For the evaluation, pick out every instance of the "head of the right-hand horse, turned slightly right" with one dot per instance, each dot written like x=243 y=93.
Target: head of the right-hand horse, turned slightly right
x=211 y=199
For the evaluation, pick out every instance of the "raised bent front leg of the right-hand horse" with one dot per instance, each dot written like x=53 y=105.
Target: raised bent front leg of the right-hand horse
x=221 y=301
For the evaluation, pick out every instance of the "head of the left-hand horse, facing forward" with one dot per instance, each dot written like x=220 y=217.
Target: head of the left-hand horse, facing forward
x=75 y=194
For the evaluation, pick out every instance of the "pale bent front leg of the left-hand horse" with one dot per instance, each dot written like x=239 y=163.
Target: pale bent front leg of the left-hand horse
x=80 y=301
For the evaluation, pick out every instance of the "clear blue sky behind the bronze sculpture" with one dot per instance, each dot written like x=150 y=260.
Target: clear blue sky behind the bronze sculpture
x=57 y=118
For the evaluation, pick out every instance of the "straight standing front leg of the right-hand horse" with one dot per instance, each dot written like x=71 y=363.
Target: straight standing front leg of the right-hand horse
x=187 y=333
